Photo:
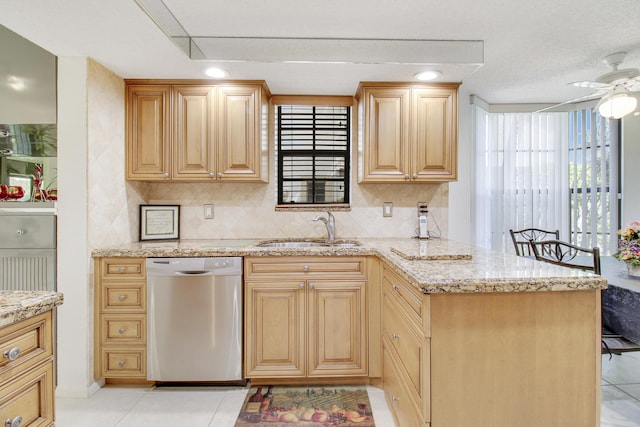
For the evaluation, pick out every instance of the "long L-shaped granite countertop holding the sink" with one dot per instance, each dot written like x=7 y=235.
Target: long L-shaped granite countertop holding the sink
x=434 y=266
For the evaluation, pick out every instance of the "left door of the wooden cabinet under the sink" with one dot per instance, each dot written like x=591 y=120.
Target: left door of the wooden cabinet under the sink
x=274 y=329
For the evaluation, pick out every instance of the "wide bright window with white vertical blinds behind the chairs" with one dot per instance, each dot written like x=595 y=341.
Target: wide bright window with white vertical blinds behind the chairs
x=550 y=171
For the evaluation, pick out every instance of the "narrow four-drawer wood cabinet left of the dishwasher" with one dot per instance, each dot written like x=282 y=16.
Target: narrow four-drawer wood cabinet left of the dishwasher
x=120 y=318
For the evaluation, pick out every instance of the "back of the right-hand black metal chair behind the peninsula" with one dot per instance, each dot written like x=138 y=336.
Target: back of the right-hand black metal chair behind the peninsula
x=567 y=255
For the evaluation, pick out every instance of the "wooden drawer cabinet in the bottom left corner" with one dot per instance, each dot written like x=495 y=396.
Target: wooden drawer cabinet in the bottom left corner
x=26 y=372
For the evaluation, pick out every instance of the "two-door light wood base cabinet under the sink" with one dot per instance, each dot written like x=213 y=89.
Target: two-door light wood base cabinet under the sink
x=305 y=317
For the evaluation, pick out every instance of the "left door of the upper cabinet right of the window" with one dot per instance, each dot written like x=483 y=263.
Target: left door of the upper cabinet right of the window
x=385 y=149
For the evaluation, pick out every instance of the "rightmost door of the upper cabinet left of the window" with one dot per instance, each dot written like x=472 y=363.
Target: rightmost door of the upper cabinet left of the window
x=239 y=137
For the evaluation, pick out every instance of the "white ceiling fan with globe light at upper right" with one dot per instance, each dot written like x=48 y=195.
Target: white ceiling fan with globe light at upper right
x=618 y=89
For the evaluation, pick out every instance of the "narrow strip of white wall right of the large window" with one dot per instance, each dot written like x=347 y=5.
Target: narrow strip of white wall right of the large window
x=630 y=169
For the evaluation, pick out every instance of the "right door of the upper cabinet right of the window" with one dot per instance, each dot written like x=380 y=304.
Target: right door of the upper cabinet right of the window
x=434 y=134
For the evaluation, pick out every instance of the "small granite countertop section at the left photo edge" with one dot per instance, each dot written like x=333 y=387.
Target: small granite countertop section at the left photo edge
x=20 y=305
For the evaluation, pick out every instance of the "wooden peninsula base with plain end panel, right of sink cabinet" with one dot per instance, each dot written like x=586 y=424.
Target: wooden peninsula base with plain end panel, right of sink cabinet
x=495 y=359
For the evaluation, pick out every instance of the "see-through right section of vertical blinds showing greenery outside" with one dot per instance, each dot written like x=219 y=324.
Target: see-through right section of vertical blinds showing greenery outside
x=594 y=180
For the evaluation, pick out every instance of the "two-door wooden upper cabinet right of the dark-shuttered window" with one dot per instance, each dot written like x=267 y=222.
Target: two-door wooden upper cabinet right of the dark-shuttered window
x=407 y=132
